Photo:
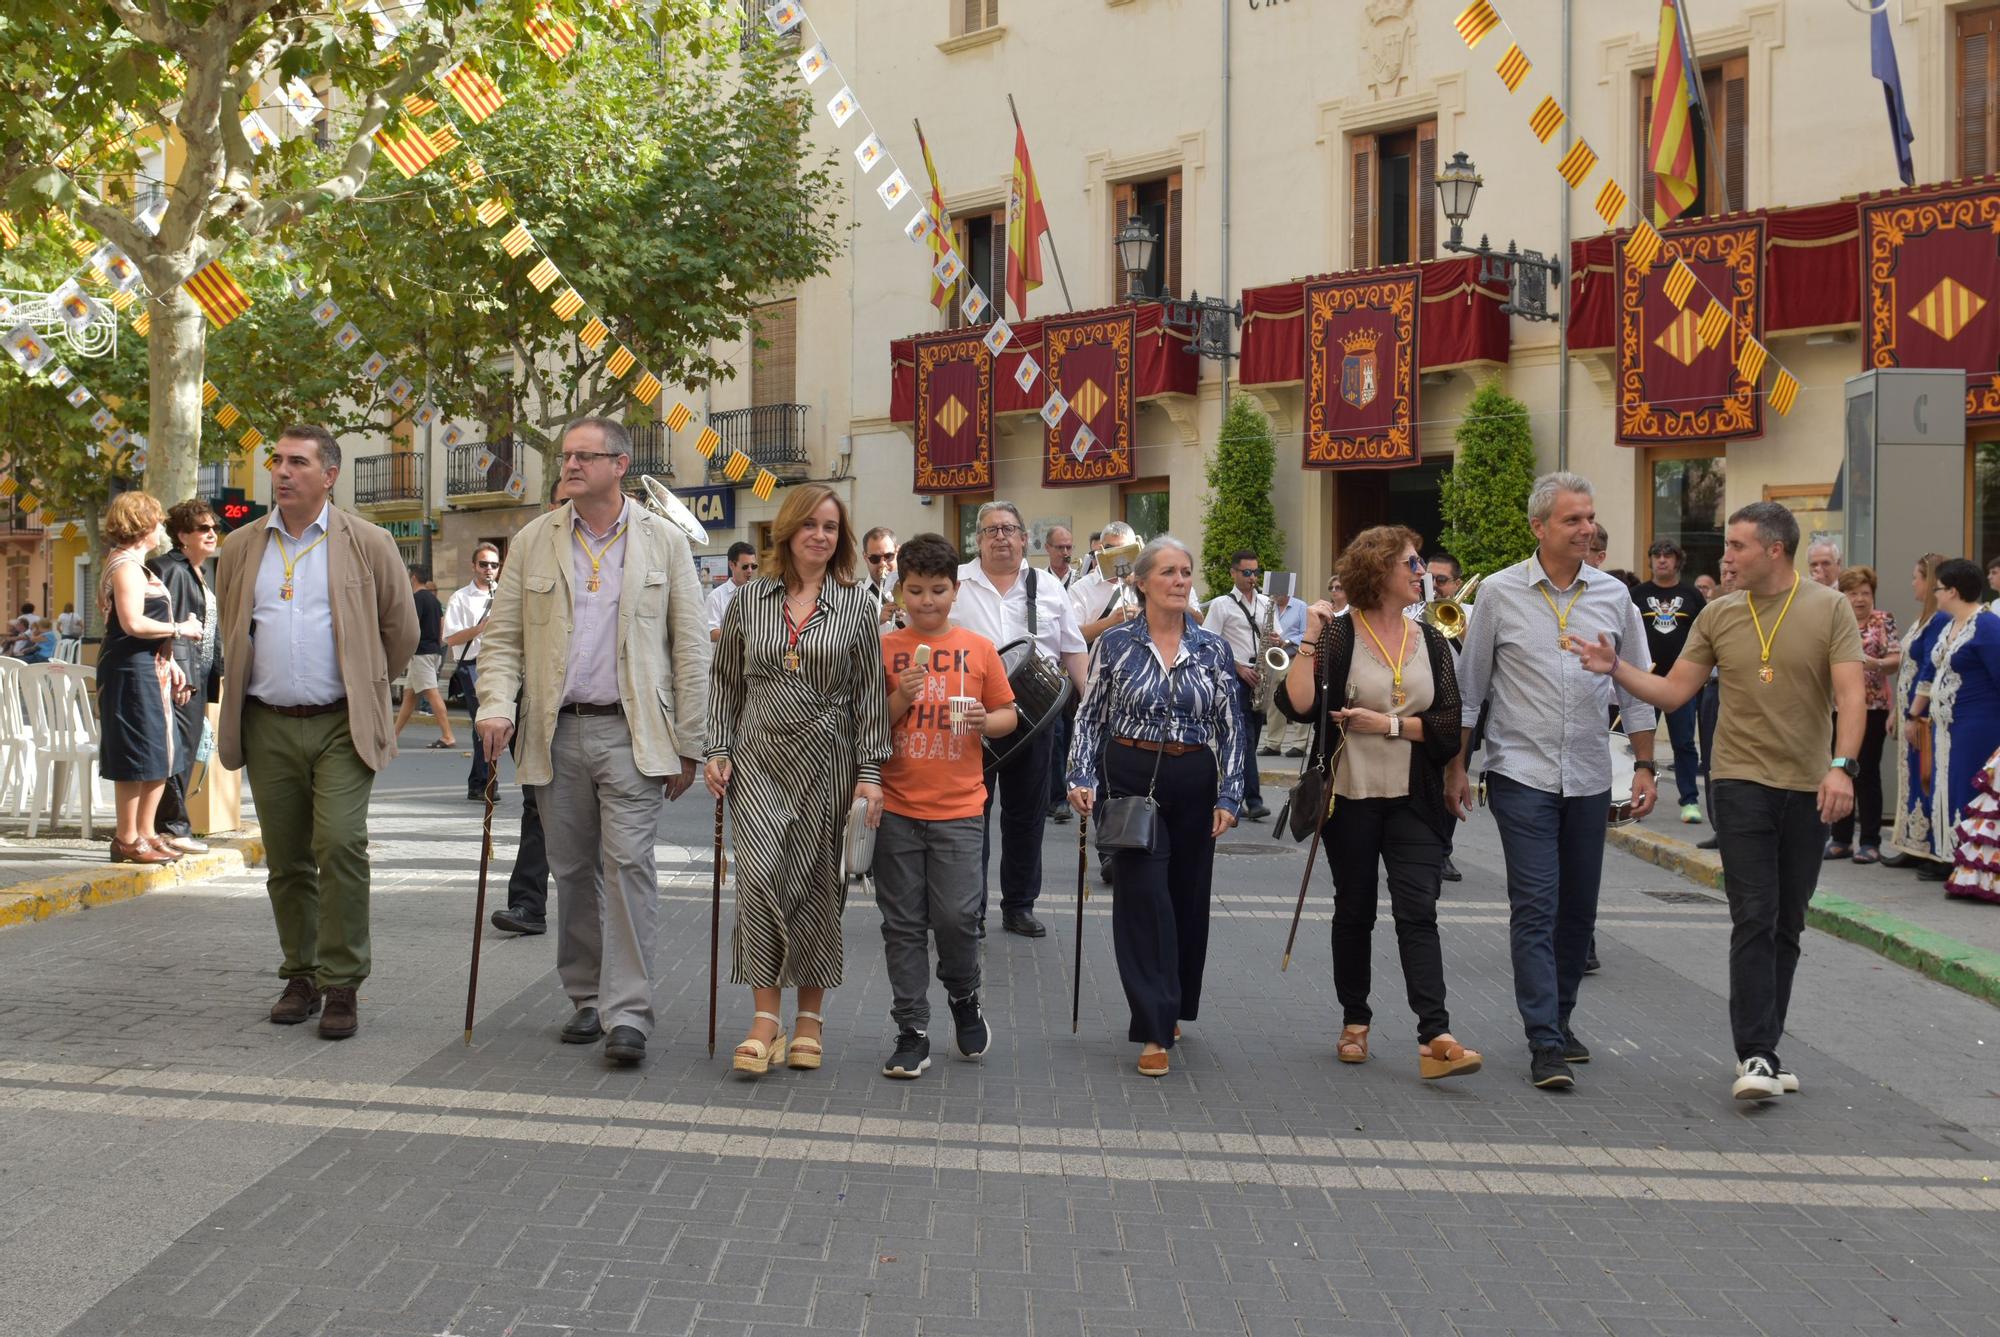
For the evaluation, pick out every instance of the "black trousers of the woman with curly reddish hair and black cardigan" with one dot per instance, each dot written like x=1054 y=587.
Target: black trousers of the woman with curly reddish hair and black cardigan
x=1387 y=832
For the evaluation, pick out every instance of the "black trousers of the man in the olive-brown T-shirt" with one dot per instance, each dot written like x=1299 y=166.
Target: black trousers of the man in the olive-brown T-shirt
x=1771 y=844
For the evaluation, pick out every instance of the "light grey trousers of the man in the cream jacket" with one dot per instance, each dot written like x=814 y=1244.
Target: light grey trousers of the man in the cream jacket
x=601 y=820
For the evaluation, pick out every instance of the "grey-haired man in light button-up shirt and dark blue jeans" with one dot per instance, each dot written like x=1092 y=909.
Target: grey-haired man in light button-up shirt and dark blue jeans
x=1549 y=768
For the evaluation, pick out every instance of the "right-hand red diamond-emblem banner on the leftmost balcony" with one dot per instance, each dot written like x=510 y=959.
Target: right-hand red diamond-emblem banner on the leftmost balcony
x=1089 y=359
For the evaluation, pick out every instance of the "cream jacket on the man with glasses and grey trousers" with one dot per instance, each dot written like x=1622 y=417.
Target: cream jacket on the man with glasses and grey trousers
x=663 y=643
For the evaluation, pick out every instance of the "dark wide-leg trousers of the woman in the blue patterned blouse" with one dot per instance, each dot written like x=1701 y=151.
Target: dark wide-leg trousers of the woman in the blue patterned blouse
x=1161 y=900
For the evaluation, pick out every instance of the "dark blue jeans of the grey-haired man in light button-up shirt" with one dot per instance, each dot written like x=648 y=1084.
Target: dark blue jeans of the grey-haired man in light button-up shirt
x=1555 y=858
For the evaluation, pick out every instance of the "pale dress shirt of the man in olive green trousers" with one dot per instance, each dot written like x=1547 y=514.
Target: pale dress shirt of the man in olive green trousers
x=293 y=657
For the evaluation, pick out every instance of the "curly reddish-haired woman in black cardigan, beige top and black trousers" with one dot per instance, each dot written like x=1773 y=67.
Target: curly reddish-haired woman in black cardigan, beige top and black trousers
x=1395 y=702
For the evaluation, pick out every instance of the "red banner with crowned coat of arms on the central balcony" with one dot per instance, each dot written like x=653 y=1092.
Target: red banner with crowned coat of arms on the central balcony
x=1361 y=371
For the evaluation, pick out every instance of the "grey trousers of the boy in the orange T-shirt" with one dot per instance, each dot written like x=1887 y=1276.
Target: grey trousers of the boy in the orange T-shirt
x=929 y=886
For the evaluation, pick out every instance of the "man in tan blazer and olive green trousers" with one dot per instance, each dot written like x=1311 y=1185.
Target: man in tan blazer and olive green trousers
x=319 y=609
